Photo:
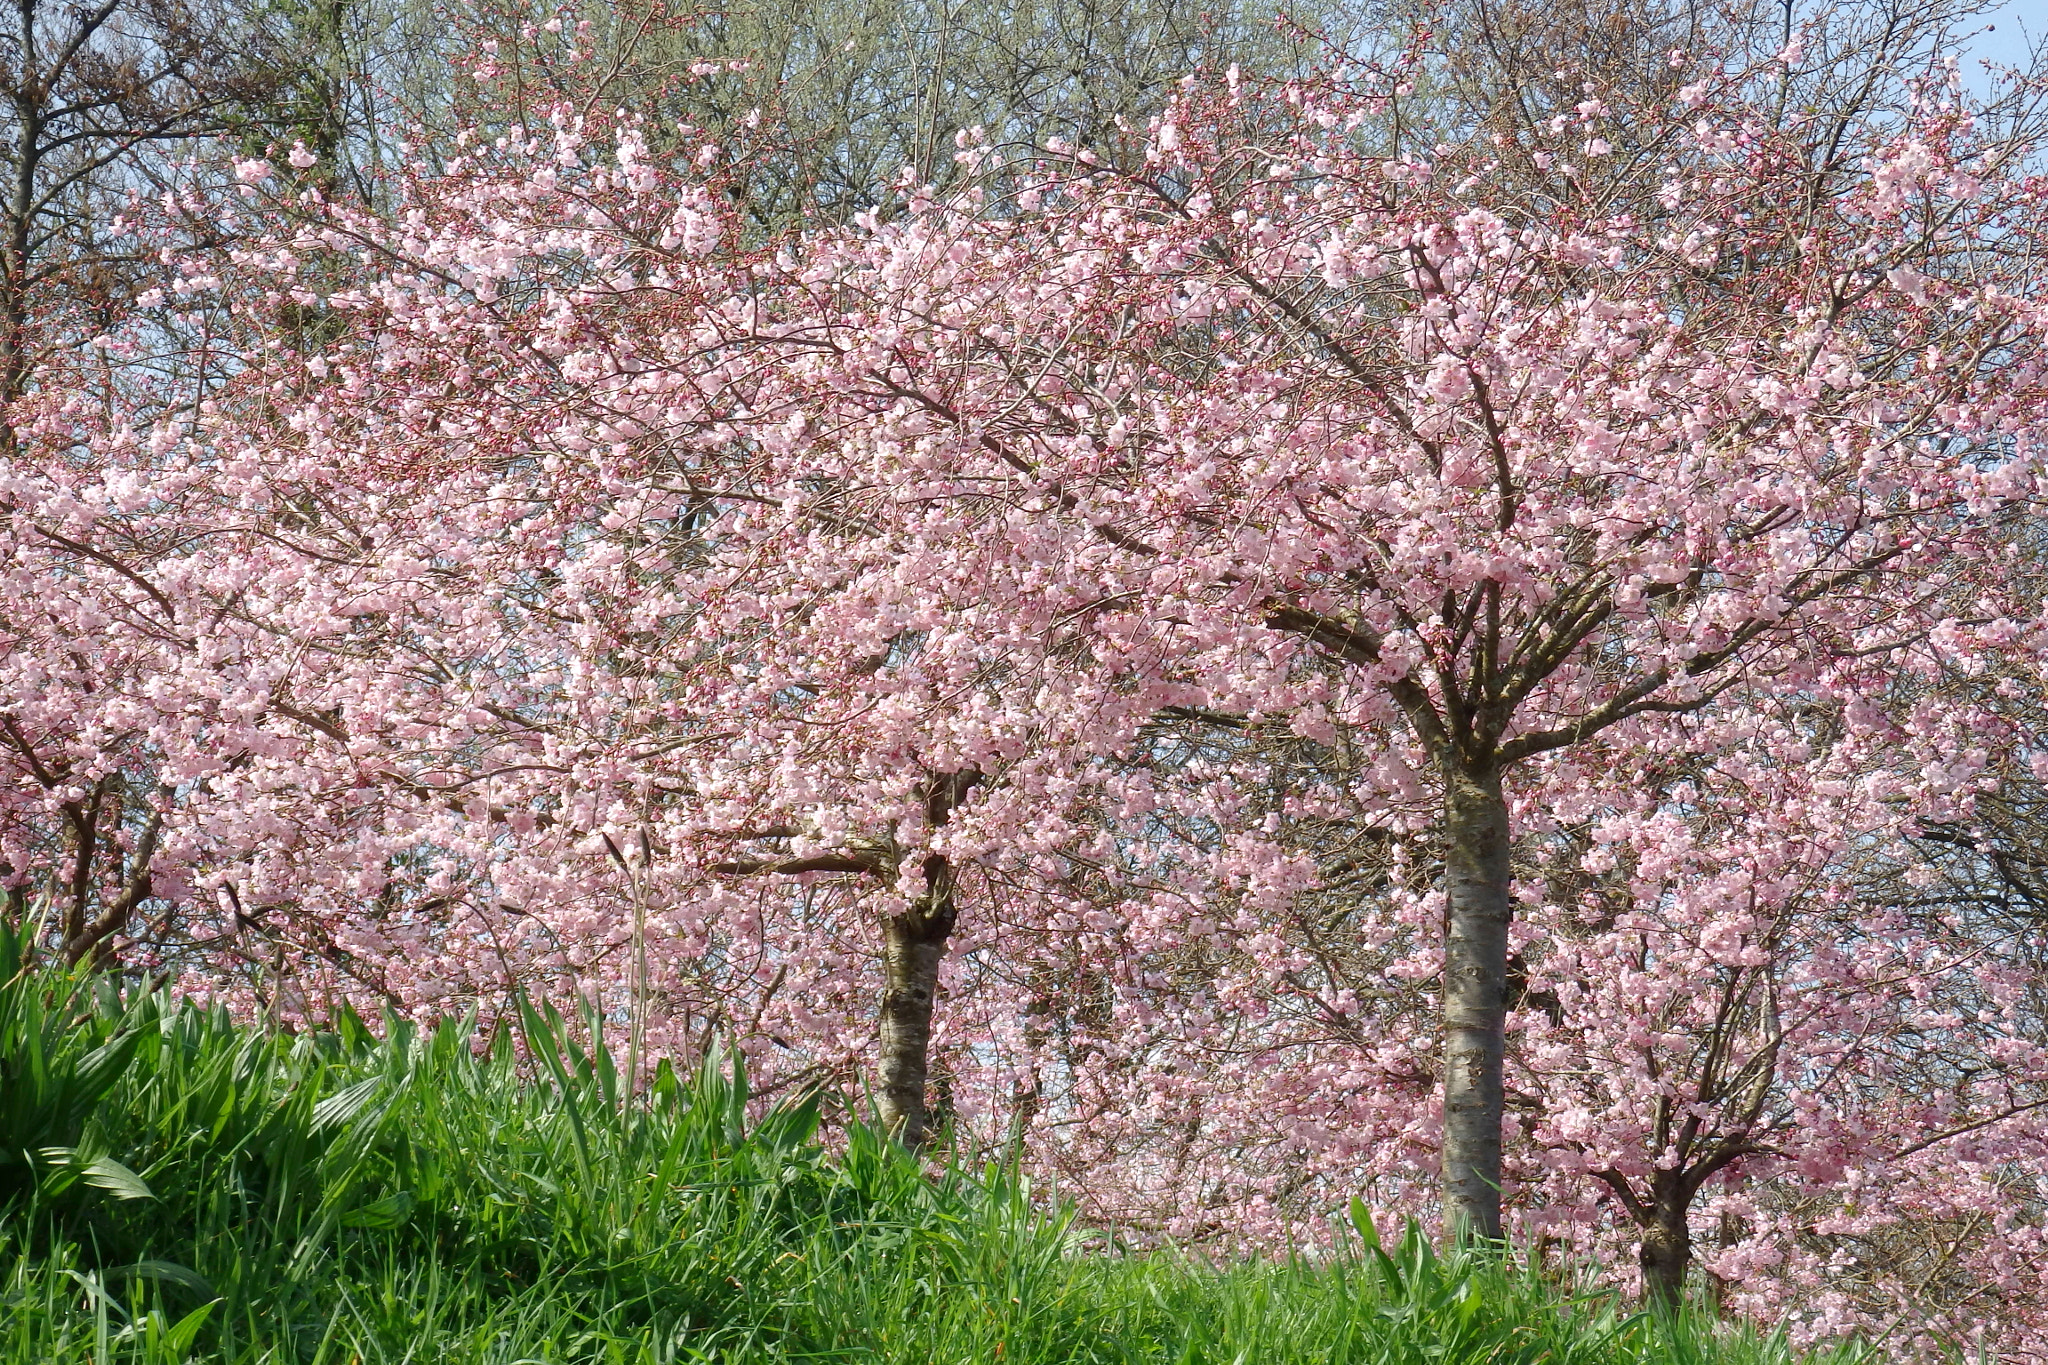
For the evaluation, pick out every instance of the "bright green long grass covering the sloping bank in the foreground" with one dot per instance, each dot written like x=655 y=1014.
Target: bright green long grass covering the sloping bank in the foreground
x=179 y=1188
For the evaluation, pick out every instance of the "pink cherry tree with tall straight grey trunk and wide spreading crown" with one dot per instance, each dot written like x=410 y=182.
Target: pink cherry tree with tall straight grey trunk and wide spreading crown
x=1533 y=466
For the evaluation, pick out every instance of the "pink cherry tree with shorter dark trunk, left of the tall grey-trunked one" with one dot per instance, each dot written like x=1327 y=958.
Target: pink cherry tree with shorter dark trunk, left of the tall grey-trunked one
x=519 y=680
